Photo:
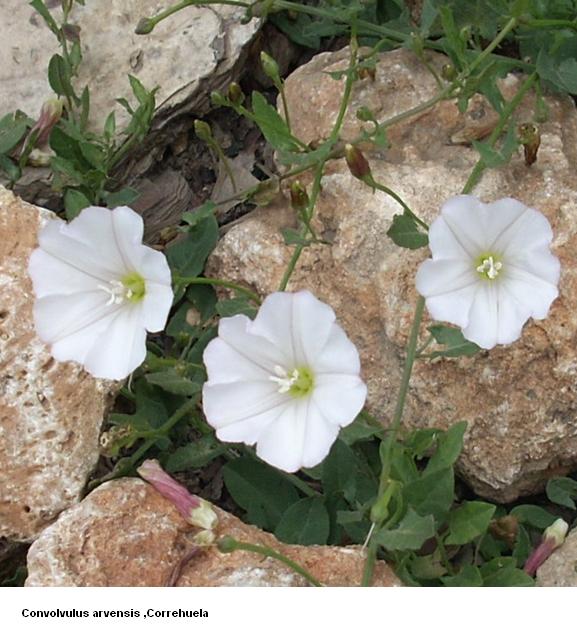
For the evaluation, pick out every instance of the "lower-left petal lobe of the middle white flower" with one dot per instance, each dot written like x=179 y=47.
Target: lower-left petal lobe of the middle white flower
x=225 y=404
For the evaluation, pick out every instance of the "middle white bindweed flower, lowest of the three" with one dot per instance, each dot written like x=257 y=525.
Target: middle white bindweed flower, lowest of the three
x=287 y=381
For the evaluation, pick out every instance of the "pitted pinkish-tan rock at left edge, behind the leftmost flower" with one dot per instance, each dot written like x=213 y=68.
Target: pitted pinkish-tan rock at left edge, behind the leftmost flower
x=50 y=413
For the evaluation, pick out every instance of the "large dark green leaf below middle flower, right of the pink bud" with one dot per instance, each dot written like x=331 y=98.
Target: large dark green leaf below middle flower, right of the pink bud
x=260 y=490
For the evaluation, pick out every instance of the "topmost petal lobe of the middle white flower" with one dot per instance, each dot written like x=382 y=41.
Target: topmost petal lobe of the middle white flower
x=298 y=323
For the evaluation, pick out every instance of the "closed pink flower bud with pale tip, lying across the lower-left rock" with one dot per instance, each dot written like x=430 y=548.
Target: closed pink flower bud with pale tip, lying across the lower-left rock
x=197 y=511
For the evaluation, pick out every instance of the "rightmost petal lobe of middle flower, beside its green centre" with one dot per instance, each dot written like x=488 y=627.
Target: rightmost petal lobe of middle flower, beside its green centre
x=339 y=398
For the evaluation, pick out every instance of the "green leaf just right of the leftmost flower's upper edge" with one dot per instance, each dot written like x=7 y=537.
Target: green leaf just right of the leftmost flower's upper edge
x=188 y=255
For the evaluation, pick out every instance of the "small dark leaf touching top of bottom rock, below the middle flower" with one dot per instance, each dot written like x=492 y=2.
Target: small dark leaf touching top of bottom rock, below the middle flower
x=305 y=523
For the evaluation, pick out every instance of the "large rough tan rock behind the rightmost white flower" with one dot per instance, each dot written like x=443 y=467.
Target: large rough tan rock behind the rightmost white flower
x=520 y=401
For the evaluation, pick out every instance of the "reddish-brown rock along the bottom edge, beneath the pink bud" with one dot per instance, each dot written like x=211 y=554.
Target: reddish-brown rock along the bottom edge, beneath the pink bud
x=152 y=539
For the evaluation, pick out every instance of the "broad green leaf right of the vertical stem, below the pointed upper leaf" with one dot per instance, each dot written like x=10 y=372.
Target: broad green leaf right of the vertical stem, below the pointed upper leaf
x=432 y=494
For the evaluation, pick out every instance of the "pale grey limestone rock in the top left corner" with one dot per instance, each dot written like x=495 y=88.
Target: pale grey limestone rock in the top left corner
x=186 y=55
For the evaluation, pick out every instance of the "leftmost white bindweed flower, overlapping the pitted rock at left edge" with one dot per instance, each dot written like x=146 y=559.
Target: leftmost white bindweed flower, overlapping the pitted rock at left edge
x=98 y=289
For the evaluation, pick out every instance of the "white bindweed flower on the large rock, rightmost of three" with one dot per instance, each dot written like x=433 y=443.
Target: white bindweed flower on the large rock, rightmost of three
x=491 y=269
